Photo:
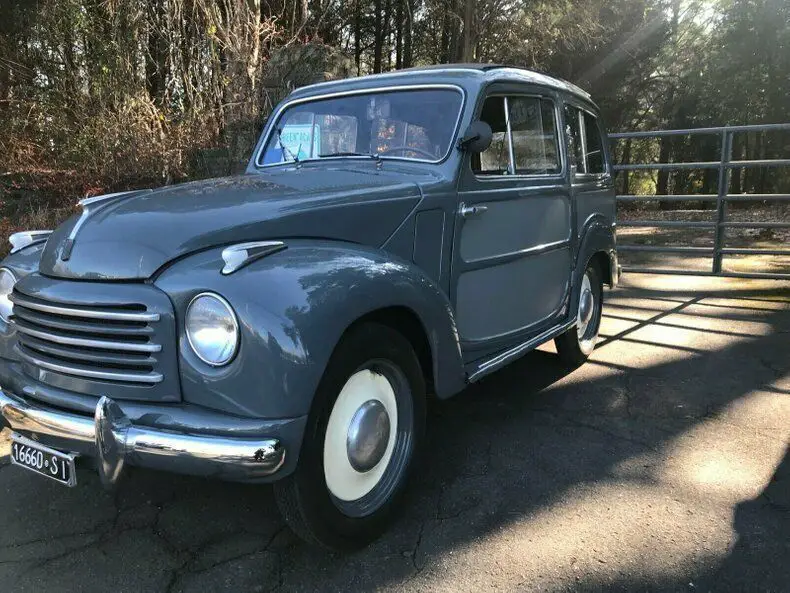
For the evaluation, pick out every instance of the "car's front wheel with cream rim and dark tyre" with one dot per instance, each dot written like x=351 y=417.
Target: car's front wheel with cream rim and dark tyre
x=362 y=437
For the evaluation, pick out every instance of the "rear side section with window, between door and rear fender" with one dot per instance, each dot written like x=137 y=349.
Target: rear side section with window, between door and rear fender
x=588 y=155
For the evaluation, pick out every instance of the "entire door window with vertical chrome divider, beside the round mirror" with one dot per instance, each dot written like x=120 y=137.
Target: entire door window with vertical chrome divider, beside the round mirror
x=525 y=137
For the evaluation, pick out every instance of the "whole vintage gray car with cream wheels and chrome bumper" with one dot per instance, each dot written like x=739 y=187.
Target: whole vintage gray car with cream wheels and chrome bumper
x=395 y=237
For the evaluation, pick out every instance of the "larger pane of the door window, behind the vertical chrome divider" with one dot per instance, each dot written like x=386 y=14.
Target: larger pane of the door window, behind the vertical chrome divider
x=534 y=136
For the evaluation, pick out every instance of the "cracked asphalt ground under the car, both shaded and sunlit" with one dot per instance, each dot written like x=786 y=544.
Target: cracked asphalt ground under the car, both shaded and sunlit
x=662 y=464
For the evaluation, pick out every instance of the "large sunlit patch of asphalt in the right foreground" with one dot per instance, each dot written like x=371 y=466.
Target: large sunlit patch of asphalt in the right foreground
x=658 y=516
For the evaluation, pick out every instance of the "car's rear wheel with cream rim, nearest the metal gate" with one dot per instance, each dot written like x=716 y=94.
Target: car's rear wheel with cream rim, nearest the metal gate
x=576 y=345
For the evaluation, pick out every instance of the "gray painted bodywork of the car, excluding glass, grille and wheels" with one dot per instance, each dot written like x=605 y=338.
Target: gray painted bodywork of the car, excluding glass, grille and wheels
x=360 y=236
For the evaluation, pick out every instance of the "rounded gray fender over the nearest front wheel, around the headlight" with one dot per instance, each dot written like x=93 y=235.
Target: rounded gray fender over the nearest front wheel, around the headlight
x=293 y=307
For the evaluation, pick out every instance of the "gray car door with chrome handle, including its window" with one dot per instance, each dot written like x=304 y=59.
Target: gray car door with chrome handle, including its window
x=512 y=244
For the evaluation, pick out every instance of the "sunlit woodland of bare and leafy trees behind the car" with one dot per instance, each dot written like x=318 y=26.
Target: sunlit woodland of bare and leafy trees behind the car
x=105 y=95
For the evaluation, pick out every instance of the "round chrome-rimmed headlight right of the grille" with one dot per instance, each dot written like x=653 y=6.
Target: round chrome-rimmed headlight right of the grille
x=212 y=329
